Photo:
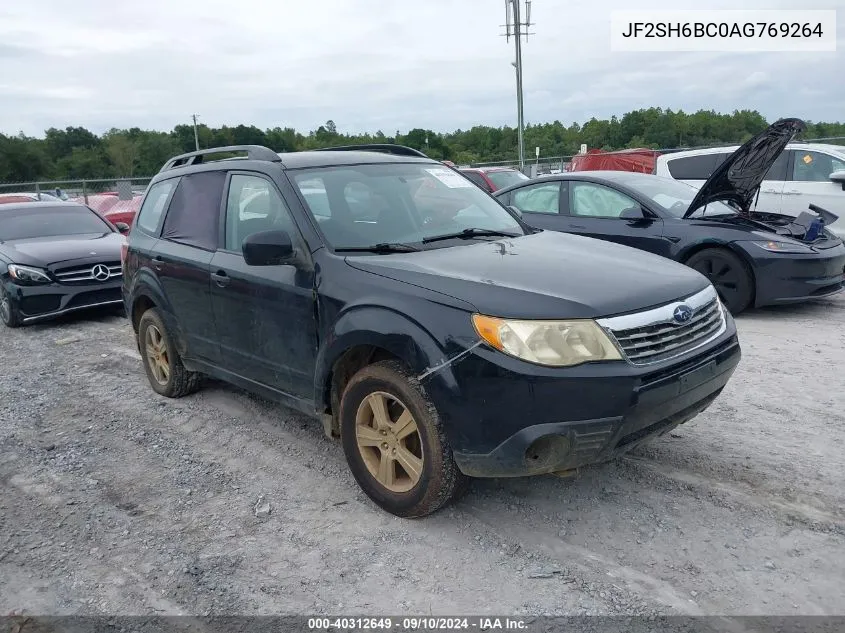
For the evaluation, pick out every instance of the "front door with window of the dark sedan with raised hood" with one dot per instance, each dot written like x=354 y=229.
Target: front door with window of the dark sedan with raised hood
x=595 y=210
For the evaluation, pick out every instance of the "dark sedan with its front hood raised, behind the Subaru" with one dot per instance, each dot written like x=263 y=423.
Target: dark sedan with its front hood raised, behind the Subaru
x=752 y=258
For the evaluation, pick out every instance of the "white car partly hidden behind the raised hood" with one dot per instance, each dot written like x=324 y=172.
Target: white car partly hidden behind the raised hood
x=804 y=174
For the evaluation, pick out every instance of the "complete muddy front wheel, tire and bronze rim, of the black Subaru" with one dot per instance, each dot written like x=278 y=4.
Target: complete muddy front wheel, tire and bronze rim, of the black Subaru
x=395 y=444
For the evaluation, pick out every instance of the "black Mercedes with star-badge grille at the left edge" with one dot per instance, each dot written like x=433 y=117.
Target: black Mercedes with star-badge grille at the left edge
x=56 y=257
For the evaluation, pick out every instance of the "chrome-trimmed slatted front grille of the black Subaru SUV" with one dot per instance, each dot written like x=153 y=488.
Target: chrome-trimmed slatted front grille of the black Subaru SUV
x=656 y=335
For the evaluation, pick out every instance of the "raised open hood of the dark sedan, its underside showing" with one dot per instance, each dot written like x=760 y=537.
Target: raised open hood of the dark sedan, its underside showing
x=738 y=178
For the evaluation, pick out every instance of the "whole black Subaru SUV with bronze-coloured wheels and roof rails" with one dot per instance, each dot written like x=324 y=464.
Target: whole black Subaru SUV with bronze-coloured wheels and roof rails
x=425 y=324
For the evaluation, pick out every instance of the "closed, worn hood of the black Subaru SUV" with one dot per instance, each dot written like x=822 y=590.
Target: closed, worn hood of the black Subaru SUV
x=546 y=275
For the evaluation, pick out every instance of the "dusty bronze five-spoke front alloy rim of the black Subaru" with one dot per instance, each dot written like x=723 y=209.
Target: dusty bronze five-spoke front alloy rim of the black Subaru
x=389 y=442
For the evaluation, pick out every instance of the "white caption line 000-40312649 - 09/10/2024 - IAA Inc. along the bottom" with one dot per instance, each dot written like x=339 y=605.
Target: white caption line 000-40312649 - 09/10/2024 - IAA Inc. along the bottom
x=424 y=623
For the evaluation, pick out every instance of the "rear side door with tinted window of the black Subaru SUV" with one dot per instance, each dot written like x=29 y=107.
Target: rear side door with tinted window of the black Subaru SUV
x=182 y=257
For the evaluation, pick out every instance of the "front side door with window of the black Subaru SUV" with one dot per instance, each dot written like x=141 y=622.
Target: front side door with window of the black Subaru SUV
x=265 y=315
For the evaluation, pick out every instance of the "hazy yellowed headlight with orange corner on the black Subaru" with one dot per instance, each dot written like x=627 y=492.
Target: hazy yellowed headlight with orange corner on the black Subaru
x=552 y=343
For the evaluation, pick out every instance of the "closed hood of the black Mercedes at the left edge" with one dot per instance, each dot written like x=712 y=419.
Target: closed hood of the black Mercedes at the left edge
x=45 y=251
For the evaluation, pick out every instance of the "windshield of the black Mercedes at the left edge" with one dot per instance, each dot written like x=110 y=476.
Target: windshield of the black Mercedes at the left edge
x=26 y=223
